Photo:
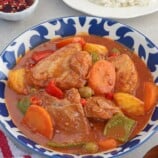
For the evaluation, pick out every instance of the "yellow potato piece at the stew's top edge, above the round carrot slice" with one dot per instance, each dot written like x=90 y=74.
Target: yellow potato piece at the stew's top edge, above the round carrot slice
x=95 y=48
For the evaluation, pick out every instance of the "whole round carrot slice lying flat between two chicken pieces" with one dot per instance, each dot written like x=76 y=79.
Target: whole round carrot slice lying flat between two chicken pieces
x=102 y=77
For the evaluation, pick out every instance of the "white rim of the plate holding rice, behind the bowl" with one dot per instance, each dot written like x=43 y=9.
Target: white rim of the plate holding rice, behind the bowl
x=120 y=13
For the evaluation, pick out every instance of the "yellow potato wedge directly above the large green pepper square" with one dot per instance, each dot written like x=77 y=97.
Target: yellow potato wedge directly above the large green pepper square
x=129 y=103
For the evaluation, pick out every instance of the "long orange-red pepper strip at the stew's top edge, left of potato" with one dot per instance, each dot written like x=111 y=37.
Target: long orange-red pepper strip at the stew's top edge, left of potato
x=69 y=40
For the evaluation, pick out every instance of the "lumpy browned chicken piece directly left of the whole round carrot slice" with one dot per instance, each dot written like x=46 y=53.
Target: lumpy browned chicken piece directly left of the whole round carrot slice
x=76 y=71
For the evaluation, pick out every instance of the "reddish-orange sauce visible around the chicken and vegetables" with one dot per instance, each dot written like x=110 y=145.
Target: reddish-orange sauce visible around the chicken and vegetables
x=97 y=127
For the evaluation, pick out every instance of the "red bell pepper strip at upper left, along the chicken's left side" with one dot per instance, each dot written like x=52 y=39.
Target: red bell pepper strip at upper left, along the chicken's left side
x=37 y=56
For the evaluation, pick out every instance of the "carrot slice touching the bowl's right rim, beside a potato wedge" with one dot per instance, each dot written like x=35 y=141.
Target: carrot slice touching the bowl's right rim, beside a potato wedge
x=150 y=95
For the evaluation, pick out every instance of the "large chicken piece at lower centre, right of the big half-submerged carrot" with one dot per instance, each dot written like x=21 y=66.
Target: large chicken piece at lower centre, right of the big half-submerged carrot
x=67 y=114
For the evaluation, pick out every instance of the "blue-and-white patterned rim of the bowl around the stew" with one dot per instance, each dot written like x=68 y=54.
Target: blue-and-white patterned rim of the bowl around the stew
x=67 y=26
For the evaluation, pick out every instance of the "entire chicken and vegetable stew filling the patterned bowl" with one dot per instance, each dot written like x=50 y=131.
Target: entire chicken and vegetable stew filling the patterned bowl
x=81 y=94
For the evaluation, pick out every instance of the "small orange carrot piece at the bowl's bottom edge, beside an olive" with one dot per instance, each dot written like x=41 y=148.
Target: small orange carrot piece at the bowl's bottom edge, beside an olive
x=107 y=143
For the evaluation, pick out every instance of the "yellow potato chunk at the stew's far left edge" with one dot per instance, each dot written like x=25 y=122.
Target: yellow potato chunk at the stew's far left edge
x=16 y=80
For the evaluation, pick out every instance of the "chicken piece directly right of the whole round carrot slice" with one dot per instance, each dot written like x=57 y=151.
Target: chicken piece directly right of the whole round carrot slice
x=126 y=74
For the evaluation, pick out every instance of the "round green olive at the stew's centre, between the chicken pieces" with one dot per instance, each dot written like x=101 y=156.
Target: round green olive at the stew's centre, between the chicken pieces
x=86 y=92
